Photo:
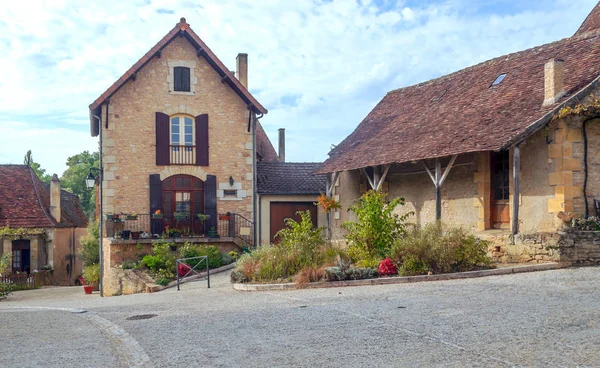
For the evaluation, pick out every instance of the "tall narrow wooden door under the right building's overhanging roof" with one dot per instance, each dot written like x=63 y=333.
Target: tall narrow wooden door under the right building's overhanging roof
x=500 y=181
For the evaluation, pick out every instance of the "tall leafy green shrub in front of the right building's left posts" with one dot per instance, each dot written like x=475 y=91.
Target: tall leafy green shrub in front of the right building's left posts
x=371 y=238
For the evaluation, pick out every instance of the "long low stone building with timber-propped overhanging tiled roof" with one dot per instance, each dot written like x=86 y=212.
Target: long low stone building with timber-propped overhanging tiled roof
x=483 y=147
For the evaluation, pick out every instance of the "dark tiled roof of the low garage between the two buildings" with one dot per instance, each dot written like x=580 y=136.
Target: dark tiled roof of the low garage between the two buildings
x=289 y=178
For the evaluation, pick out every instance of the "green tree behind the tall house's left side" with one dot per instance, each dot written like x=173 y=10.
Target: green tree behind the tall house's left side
x=73 y=179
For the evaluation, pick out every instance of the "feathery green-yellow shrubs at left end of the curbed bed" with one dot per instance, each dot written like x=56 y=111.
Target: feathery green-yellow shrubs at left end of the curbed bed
x=301 y=247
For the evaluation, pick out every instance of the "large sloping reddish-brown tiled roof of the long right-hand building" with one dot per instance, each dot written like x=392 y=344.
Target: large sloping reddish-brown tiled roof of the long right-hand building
x=461 y=112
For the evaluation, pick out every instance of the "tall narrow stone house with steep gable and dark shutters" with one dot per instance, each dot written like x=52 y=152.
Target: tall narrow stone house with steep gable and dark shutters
x=179 y=137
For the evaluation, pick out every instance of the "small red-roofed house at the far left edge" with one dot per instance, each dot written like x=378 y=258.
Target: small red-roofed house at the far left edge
x=48 y=223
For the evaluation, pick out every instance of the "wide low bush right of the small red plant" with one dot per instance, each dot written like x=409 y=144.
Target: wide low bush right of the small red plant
x=439 y=250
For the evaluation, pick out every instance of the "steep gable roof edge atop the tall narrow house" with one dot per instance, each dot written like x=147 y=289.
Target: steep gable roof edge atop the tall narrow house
x=182 y=28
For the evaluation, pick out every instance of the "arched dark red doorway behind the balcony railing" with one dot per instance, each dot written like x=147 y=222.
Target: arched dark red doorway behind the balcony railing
x=182 y=201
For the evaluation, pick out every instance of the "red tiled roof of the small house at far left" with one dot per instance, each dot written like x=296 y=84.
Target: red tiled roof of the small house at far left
x=25 y=201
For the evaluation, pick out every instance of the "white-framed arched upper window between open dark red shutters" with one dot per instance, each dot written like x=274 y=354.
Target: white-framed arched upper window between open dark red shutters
x=183 y=150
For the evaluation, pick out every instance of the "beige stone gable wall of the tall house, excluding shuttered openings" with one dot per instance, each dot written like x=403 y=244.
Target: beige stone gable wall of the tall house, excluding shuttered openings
x=129 y=137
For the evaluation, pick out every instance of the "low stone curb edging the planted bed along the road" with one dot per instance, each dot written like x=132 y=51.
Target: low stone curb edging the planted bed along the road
x=404 y=279
